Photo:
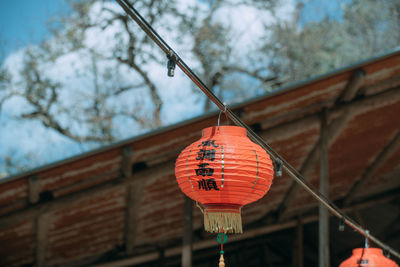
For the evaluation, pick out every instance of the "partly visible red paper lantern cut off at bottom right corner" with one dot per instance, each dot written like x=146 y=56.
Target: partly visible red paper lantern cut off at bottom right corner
x=368 y=257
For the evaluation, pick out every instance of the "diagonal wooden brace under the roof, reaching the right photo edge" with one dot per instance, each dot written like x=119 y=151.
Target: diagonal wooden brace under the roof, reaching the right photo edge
x=382 y=157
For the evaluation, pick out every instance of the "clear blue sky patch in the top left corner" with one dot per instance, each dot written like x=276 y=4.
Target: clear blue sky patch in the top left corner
x=24 y=21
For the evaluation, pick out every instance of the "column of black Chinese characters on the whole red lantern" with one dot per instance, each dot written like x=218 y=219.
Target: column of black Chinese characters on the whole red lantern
x=207 y=152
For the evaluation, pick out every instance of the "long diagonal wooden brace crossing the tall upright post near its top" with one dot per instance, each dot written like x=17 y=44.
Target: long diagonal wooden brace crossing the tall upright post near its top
x=333 y=131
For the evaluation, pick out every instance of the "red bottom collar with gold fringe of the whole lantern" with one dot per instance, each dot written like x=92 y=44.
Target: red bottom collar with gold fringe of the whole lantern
x=223 y=218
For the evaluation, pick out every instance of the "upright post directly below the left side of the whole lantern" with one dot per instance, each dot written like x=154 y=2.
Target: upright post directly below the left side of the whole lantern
x=187 y=233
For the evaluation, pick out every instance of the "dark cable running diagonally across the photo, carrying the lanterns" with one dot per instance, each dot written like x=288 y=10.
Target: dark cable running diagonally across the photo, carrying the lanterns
x=146 y=27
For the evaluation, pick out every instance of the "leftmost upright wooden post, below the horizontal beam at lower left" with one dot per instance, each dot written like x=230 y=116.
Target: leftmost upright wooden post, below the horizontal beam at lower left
x=42 y=225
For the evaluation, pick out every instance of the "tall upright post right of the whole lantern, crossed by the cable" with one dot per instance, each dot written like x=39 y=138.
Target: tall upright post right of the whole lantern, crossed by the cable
x=324 y=189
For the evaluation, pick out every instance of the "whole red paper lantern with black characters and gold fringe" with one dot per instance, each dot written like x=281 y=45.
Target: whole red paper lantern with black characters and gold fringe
x=224 y=171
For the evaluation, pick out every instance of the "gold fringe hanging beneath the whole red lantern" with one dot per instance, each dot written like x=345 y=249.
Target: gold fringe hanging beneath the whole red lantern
x=228 y=222
